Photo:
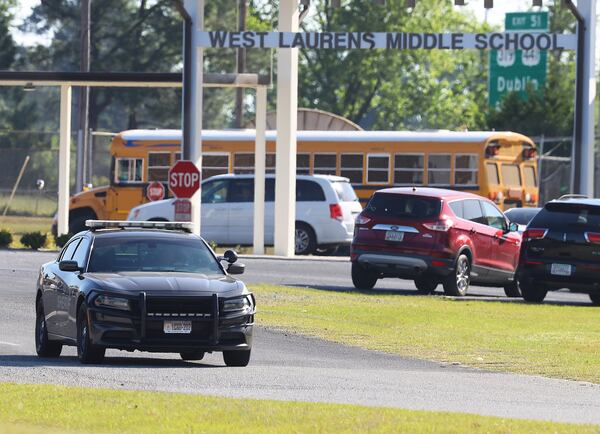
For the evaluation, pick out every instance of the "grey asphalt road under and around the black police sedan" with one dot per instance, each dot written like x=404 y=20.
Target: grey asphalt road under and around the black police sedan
x=290 y=367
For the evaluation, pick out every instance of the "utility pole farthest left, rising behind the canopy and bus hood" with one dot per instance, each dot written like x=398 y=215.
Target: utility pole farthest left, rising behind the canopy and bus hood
x=83 y=147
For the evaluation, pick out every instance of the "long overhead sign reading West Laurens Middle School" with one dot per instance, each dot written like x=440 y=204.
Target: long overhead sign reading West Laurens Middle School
x=389 y=40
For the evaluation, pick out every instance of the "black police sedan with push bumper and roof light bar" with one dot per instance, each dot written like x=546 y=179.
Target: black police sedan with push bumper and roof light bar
x=149 y=286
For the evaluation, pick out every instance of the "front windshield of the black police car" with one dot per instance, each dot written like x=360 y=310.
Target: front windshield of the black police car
x=176 y=255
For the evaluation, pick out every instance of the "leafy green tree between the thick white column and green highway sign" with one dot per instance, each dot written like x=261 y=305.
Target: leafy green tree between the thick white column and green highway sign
x=396 y=89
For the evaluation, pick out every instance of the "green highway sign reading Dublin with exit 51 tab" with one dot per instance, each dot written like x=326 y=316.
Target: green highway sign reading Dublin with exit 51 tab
x=515 y=70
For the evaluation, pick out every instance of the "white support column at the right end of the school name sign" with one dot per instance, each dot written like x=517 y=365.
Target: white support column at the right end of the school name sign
x=588 y=11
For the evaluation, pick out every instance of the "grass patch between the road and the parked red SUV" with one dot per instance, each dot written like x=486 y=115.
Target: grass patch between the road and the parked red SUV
x=549 y=340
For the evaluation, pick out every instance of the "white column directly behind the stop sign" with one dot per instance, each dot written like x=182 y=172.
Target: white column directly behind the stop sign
x=196 y=10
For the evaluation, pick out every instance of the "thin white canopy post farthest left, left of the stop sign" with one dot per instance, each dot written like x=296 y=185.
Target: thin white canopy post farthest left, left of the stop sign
x=64 y=162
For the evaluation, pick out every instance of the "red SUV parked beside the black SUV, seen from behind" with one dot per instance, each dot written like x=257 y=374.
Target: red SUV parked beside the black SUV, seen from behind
x=435 y=236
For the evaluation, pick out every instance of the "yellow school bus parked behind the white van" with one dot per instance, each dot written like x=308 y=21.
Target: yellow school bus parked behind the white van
x=499 y=165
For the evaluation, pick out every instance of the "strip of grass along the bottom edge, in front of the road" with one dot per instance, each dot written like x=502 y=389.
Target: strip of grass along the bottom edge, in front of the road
x=44 y=408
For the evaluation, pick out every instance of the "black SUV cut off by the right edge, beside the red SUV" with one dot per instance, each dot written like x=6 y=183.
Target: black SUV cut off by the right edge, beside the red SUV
x=561 y=249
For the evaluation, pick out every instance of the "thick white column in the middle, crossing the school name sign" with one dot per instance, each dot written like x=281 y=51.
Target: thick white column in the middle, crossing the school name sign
x=287 y=108
